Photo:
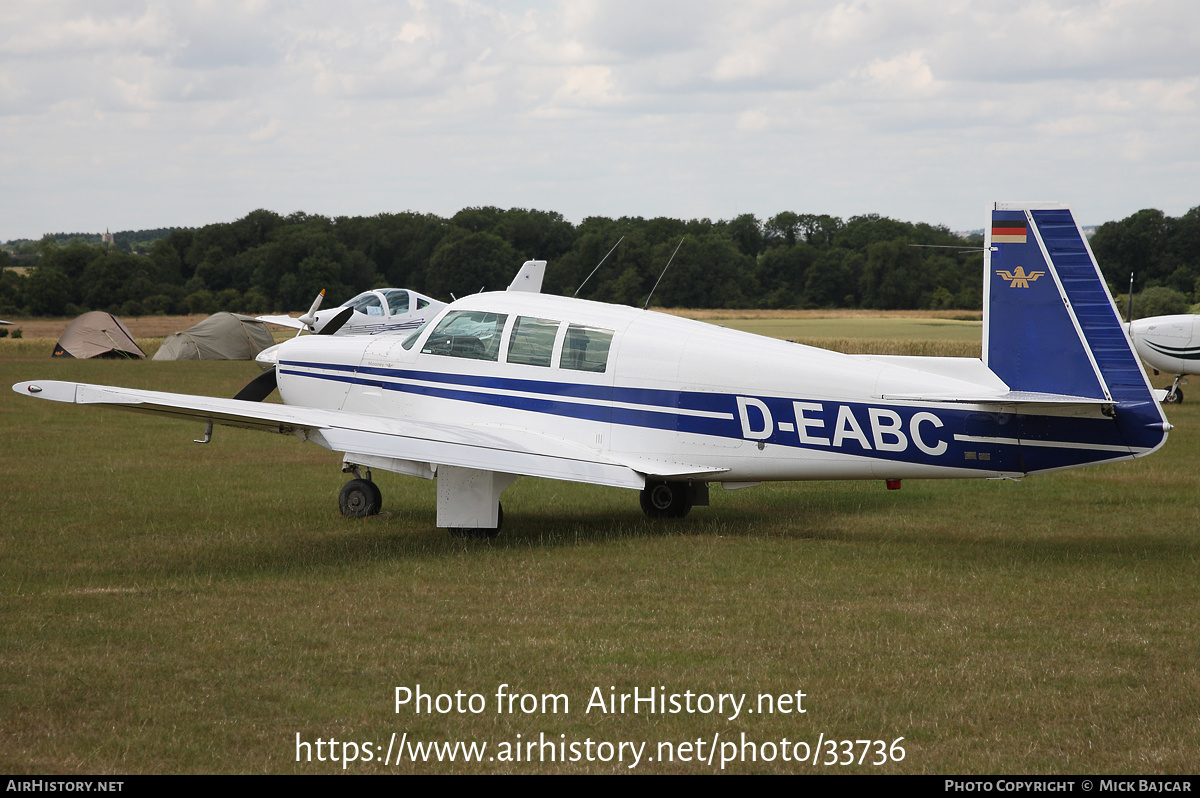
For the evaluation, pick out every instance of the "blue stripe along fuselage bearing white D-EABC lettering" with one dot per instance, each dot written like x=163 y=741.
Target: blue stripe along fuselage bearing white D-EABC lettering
x=904 y=434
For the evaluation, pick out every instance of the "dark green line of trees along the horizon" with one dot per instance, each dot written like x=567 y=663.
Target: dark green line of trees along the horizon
x=267 y=262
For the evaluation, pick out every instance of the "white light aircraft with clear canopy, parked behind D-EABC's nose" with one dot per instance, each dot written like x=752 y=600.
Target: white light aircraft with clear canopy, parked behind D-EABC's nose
x=373 y=313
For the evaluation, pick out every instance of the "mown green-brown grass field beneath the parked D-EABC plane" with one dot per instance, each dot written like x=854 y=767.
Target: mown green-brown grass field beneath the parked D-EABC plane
x=171 y=608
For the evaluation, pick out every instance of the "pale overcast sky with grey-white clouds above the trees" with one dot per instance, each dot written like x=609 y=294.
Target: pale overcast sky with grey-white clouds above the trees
x=130 y=115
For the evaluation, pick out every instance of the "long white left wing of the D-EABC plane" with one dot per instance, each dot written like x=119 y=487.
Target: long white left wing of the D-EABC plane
x=485 y=448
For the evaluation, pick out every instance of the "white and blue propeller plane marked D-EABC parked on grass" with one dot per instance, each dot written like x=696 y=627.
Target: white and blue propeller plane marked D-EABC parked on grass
x=517 y=383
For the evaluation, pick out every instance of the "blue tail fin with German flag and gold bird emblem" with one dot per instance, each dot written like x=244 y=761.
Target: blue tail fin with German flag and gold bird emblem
x=1051 y=326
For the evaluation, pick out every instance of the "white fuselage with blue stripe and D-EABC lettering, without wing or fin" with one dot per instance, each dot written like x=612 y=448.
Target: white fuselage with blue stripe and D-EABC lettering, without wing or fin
x=682 y=392
